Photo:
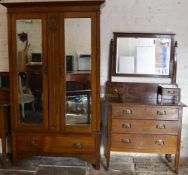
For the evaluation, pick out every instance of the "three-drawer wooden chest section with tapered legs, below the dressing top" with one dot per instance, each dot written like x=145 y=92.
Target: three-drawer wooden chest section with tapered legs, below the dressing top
x=145 y=128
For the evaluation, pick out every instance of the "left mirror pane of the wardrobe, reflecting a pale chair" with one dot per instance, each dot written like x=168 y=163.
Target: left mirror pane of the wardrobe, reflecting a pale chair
x=29 y=62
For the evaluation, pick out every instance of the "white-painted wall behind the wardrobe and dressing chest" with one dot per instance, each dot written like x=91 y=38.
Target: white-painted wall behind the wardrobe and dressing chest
x=162 y=16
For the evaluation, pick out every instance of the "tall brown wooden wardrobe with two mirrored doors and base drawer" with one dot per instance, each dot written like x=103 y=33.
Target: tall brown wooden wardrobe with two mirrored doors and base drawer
x=54 y=57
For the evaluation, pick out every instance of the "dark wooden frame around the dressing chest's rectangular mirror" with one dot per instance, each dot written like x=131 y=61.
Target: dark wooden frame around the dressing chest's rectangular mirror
x=172 y=66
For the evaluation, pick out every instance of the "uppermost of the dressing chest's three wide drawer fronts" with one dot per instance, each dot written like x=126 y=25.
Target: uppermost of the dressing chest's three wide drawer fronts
x=145 y=112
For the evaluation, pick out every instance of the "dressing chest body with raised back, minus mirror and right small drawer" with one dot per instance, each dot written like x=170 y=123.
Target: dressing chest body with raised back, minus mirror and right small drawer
x=137 y=122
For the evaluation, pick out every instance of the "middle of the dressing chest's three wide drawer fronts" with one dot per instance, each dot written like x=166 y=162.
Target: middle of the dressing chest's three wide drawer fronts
x=145 y=126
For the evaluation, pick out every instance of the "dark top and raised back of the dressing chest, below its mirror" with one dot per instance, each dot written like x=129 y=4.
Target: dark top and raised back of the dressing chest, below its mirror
x=137 y=94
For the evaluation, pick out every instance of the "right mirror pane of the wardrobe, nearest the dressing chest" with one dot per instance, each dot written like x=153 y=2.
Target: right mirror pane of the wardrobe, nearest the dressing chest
x=78 y=70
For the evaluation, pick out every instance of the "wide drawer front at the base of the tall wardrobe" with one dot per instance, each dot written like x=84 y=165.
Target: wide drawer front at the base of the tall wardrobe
x=55 y=144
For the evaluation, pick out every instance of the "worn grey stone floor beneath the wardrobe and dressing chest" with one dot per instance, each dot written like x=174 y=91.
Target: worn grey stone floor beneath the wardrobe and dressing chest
x=120 y=164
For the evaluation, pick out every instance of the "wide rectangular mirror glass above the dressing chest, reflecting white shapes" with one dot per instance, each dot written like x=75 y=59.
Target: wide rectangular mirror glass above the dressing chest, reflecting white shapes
x=147 y=55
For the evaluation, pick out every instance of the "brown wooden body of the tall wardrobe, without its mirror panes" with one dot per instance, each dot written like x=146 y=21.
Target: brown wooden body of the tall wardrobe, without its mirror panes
x=53 y=136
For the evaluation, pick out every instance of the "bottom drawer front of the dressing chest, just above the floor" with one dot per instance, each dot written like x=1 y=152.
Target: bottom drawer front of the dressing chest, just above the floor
x=145 y=143
